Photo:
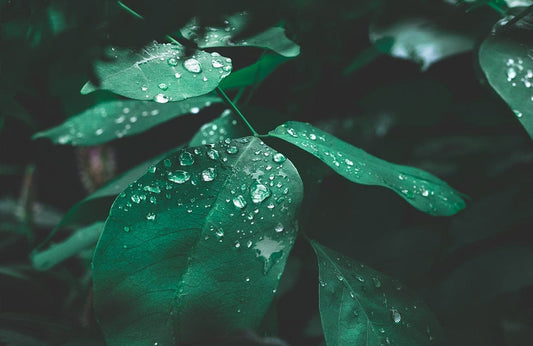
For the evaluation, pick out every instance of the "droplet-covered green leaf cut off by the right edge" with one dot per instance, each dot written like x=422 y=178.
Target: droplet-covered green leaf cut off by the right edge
x=505 y=58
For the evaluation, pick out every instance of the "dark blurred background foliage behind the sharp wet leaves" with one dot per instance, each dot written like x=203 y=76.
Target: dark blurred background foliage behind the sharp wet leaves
x=398 y=79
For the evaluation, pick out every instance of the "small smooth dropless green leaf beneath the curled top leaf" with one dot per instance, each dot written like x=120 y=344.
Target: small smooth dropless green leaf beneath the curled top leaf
x=254 y=73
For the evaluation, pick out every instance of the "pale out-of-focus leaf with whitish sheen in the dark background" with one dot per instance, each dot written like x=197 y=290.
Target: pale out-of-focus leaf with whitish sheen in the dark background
x=422 y=39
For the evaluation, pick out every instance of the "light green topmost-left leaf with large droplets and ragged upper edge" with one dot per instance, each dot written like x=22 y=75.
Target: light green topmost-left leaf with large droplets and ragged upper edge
x=160 y=72
